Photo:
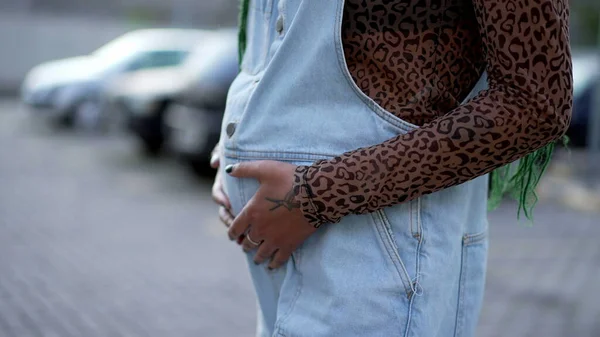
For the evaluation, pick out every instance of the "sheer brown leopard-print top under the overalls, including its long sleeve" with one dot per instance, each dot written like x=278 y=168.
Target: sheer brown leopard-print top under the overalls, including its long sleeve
x=419 y=59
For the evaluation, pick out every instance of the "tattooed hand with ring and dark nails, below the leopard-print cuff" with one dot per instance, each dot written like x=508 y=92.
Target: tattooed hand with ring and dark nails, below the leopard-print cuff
x=271 y=221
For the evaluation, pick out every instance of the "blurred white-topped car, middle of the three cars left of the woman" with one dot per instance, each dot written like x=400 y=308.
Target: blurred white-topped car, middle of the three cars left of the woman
x=144 y=97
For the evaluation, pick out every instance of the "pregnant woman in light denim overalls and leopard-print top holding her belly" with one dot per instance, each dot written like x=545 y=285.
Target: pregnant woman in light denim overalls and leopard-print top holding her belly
x=355 y=152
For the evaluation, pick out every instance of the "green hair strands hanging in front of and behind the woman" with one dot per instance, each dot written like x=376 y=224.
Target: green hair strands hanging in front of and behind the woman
x=519 y=179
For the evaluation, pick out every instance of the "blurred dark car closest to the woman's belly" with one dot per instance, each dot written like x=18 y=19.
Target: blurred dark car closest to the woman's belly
x=194 y=118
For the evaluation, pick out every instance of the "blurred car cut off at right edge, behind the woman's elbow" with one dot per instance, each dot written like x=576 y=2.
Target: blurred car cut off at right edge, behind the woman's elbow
x=586 y=80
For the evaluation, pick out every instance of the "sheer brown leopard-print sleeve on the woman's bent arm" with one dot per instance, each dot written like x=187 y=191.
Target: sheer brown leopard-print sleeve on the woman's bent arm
x=528 y=104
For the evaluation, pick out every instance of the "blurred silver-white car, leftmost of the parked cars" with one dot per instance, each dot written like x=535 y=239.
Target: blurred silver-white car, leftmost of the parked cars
x=72 y=89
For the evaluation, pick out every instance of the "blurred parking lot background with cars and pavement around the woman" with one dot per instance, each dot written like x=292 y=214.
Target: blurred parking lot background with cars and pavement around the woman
x=108 y=111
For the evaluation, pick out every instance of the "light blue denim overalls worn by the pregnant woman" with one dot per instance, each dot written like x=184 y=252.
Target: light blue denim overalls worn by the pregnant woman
x=414 y=269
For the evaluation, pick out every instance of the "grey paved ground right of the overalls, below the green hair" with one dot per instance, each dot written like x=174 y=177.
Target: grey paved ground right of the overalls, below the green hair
x=543 y=280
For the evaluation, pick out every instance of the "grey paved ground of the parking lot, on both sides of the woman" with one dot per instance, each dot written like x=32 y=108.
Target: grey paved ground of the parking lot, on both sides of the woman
x=95 y=240
